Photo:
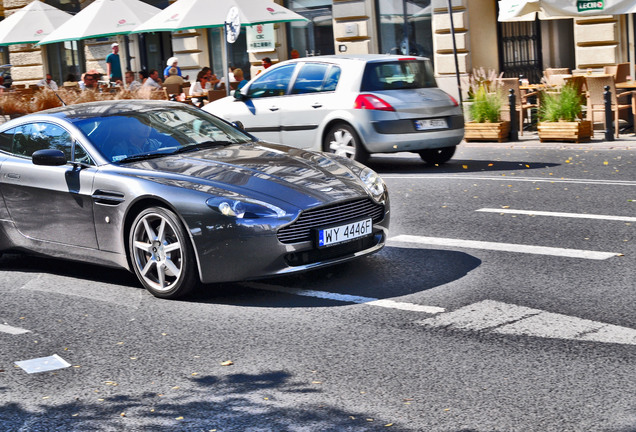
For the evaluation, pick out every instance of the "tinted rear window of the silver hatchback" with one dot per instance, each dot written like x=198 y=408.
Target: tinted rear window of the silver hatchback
x=396 y=75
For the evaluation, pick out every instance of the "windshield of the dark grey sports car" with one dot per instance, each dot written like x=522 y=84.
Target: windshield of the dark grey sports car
x=156 y=131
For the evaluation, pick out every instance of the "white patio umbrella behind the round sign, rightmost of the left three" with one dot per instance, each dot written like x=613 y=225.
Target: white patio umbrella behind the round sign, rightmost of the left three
x=190 y=14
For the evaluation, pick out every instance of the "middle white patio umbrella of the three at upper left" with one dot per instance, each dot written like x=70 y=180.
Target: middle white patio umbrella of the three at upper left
x=103 y=18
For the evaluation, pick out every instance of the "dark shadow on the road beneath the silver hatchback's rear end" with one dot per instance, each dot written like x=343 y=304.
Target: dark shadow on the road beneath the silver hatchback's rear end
x=387 y=165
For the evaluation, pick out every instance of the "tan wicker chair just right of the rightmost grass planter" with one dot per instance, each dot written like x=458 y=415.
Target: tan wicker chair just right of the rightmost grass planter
x=596 y=100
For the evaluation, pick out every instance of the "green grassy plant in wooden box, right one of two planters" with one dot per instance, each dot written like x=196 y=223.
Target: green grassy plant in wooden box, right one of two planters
x=560 y=117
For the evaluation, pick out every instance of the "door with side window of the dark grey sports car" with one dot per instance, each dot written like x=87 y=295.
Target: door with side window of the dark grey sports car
x=48 y=203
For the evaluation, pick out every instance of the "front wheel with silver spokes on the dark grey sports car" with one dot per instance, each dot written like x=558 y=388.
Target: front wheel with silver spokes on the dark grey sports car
x=161 y=254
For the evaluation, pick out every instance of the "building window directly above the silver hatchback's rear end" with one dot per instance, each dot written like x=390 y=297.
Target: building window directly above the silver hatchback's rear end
x=405 y=27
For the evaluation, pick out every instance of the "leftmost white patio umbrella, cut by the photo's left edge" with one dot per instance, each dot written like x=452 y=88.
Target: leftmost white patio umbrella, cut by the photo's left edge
x=31 y=23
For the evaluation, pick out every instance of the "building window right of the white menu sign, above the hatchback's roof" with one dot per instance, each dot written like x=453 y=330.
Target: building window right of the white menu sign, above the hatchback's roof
x=314 y=37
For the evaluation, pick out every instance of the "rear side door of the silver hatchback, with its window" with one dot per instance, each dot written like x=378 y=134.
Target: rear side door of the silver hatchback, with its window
x=310 y=100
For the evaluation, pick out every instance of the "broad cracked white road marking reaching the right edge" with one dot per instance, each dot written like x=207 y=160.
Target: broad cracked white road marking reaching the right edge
x=507 y=319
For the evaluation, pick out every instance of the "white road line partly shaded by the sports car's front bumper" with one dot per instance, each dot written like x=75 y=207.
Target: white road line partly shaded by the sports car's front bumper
x=348 y=298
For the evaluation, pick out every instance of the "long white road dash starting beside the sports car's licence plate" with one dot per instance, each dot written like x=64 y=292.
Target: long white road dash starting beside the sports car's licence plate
x=504 y=247
